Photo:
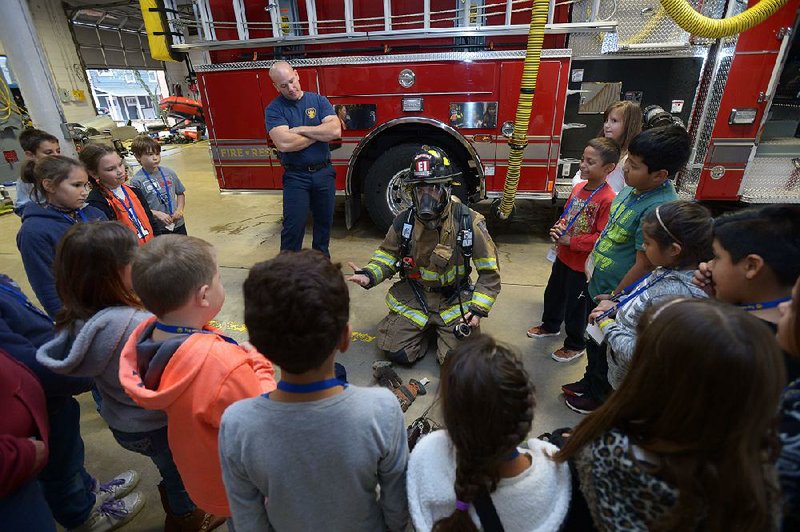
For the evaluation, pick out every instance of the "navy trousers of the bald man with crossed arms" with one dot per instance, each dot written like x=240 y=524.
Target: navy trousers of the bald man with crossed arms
x=302 y=190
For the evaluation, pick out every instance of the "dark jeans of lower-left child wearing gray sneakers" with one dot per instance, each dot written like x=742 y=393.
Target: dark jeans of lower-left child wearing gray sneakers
x=68 y=487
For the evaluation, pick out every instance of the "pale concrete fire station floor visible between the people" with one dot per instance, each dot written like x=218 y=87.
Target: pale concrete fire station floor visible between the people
x=245 y=228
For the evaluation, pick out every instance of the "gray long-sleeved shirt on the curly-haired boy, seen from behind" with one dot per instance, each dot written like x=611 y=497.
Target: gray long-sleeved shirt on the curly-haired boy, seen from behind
x=316 y=465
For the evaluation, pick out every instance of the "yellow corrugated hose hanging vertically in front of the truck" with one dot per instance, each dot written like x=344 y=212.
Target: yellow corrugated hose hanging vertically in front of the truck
x=530 y=73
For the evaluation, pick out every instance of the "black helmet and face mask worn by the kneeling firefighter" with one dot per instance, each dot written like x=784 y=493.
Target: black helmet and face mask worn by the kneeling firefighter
x=429 y=179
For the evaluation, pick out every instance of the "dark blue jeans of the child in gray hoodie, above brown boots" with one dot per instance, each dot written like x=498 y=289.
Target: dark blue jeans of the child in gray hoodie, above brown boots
x=154 y=445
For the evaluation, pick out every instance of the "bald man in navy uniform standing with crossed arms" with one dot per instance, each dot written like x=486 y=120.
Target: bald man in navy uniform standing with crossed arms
x=301 y=124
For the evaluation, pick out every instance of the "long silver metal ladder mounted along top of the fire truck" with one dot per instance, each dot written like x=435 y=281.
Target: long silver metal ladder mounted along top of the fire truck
x=470 y=18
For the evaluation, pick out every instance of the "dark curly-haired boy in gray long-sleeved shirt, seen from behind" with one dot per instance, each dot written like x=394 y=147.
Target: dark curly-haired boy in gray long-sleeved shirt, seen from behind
x=317 y=453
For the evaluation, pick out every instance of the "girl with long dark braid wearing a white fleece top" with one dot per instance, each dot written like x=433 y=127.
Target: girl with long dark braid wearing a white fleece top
x=487 y=402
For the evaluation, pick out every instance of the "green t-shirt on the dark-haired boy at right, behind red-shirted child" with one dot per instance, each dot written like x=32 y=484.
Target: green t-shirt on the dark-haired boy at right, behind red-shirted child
x=615 y=251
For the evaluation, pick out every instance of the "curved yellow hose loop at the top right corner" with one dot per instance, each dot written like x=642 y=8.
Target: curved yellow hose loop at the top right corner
x=690 y=20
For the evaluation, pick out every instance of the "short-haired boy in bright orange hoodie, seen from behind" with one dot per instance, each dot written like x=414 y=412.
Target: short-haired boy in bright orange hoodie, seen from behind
x=175 y=362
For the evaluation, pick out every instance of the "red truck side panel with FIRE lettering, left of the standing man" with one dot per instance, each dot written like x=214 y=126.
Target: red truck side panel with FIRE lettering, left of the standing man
x=237 y=133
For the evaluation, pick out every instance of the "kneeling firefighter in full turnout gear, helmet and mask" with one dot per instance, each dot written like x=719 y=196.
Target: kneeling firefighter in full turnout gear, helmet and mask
x=430 y=245
